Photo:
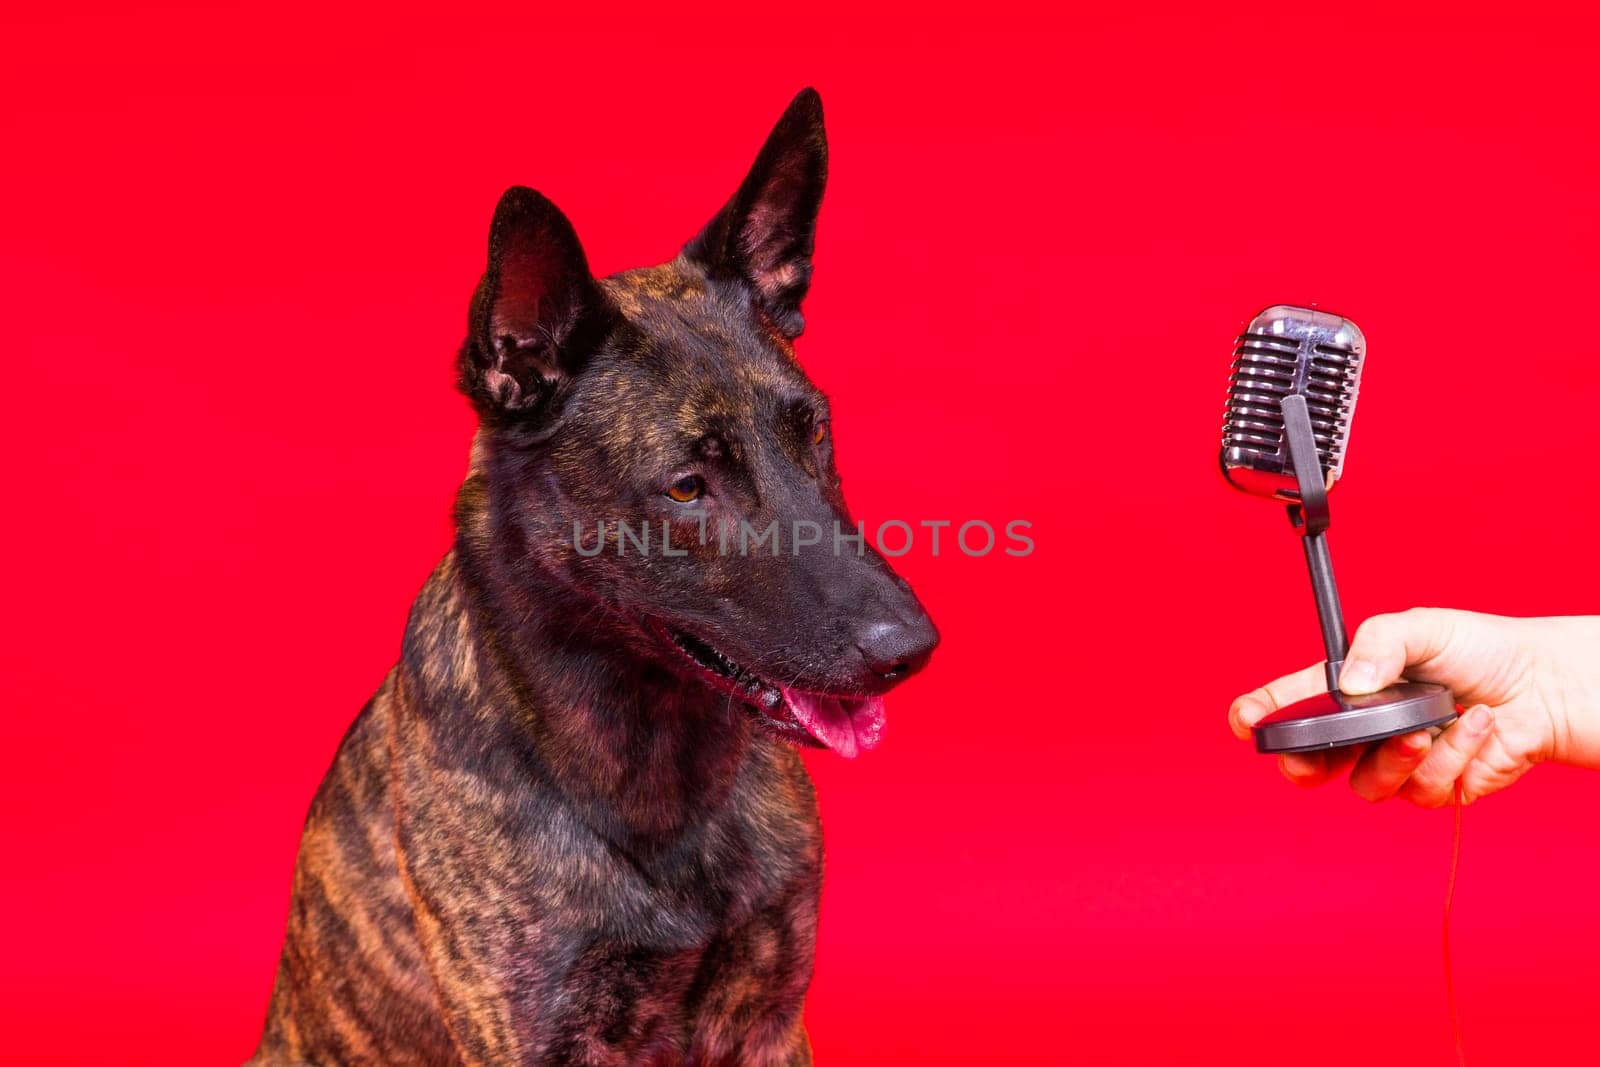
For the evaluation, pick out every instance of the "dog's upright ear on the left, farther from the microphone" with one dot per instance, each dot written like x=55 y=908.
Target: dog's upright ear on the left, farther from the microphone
x=537 y=314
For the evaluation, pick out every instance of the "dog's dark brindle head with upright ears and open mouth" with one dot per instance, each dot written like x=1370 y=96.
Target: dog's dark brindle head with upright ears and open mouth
x=652 y=442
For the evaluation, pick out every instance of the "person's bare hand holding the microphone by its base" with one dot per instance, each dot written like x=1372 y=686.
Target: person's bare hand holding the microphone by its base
x=1532 y=690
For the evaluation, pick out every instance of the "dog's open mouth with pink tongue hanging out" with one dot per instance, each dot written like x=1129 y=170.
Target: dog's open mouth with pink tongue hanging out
x=844 y=724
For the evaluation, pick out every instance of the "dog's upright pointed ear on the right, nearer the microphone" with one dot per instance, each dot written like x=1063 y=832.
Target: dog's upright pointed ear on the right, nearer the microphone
x=767 y=231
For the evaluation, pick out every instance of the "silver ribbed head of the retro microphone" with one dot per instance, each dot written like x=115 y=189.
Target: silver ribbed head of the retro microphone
x=1290 y=351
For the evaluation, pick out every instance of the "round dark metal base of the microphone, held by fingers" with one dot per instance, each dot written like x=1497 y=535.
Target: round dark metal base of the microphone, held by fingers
x=1332 y=721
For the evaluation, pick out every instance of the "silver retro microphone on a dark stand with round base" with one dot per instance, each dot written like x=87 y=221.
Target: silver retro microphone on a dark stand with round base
x=1290 y=402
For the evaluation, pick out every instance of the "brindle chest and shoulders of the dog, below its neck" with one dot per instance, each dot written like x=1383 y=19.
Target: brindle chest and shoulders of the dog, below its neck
x=487 y=881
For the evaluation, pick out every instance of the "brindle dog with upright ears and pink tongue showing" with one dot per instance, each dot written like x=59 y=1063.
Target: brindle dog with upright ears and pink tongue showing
x=574 y=825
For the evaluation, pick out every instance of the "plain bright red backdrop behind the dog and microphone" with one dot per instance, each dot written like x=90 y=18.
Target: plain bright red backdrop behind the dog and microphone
x=238 y=254
